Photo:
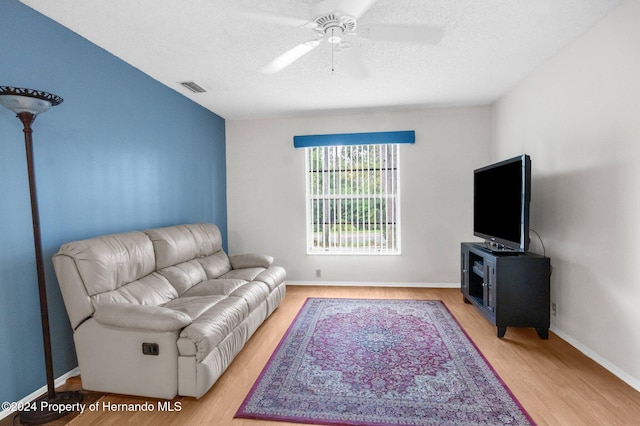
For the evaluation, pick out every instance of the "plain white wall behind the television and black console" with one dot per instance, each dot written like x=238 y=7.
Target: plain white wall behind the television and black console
x=578 y=117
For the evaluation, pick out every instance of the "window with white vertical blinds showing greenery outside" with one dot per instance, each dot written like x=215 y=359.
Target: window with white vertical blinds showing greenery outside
x=353 y=199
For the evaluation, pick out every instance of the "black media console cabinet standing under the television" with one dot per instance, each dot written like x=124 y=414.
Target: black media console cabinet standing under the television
x=510 y=290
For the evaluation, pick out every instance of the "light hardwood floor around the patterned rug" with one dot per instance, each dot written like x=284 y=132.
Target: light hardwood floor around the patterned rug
x=555 y=383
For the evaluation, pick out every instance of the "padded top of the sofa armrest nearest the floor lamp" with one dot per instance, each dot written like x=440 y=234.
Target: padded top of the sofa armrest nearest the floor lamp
x=127 y=315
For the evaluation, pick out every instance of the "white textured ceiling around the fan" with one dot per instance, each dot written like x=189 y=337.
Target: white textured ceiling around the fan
x=488 y=46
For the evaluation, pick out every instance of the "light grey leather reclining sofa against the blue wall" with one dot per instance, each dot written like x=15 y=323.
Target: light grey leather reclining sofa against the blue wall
x=162 y=312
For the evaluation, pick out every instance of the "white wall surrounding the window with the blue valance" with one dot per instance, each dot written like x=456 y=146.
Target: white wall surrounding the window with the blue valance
x=266 y=193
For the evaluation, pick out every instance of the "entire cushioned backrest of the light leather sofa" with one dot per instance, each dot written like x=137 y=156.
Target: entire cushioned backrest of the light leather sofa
x=146 y=268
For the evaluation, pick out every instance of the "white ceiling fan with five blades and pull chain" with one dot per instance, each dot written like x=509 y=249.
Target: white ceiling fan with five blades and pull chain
x=335 y=21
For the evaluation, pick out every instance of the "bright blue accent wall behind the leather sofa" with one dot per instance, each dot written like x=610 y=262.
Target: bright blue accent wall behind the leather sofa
x=122 y=152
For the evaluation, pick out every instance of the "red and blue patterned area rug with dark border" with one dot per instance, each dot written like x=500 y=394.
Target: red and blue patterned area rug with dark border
x=380 y=362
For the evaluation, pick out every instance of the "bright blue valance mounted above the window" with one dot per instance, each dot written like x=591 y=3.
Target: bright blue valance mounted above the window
x=371 y=138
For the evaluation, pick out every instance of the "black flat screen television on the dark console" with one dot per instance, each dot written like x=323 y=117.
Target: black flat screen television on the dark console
x=501 y=196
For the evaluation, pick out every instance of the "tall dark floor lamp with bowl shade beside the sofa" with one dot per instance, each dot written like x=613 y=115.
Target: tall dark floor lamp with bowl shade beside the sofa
x=27 y=104
